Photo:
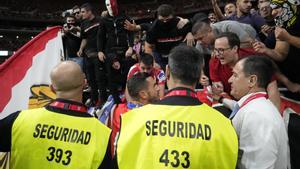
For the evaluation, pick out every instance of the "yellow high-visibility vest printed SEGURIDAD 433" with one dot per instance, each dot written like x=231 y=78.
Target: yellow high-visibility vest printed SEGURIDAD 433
x=162 y=136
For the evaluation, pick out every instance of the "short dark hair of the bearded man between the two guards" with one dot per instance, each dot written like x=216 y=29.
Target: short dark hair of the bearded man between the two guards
x=136 y=83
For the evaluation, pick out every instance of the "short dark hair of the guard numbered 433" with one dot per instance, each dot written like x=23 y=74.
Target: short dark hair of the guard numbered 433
x=185 y=64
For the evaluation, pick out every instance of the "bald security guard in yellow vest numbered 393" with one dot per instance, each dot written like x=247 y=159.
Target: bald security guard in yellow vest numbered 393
x=60 y=135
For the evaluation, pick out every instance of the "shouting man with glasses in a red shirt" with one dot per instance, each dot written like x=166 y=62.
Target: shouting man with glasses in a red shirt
x=225 y=56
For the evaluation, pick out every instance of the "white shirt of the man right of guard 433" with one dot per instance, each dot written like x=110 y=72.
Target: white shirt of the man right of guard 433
x=262 y=135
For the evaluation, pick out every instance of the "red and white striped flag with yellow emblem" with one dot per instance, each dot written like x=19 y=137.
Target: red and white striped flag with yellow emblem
x=24 y=77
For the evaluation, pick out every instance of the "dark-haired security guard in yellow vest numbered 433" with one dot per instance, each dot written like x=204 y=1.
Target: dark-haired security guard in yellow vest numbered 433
x=179 y=131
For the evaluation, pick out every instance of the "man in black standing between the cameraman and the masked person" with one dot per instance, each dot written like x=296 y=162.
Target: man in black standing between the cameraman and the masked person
x=95 y=69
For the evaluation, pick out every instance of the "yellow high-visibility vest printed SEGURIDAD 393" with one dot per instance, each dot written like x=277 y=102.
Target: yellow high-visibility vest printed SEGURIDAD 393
x=45 y=139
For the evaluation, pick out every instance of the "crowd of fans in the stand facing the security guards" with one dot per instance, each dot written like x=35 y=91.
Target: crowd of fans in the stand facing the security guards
x=240 y=32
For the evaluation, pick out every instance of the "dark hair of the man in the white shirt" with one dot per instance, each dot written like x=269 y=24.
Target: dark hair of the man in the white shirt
x=261 y=66
